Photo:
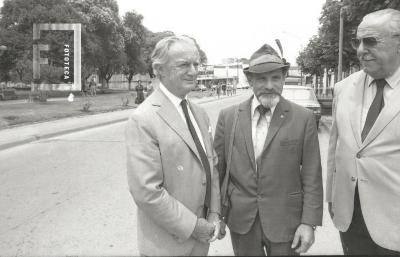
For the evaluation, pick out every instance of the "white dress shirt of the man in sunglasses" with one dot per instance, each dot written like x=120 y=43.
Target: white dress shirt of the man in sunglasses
x=370 y=91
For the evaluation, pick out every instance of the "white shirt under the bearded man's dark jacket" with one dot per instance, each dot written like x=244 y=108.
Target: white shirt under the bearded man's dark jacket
x=255 y=115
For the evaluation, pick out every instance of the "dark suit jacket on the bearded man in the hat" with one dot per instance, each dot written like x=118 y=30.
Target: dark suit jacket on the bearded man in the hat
x=287 y=188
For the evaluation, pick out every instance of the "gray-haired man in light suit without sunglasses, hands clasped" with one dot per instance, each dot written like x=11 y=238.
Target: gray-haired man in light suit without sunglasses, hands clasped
x=170 y=159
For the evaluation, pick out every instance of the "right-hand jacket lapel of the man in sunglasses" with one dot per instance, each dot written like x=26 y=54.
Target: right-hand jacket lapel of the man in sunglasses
x=387 y=114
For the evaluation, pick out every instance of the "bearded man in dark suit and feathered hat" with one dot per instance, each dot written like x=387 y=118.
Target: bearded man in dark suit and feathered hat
x=269 y=165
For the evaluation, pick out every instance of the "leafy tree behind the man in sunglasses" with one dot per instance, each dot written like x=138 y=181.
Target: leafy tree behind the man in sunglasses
x=328 y=34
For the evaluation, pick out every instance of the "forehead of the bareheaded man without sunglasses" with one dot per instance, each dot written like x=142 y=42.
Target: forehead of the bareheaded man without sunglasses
x=183 y=51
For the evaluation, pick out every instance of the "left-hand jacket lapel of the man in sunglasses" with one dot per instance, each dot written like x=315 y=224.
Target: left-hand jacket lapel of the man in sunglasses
x=355 y=106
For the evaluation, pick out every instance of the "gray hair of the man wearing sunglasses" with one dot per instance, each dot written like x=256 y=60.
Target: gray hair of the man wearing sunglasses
x=392 y=17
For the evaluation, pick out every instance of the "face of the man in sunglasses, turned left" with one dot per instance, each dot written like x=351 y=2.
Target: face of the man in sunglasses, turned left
x=382 y=59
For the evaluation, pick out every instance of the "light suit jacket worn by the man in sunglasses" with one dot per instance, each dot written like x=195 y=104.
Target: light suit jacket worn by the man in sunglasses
x=373 y=164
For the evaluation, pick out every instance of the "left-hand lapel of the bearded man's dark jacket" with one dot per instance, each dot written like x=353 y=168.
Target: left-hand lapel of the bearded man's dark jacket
x=244 y=120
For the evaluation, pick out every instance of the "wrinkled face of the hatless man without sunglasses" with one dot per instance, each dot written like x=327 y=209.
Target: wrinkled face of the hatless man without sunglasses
x=179 y=74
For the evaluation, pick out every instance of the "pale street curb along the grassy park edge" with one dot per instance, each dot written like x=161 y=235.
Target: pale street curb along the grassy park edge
x=68 y=131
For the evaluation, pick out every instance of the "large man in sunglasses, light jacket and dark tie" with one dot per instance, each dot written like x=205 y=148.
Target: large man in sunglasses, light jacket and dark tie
x=363 y=181
